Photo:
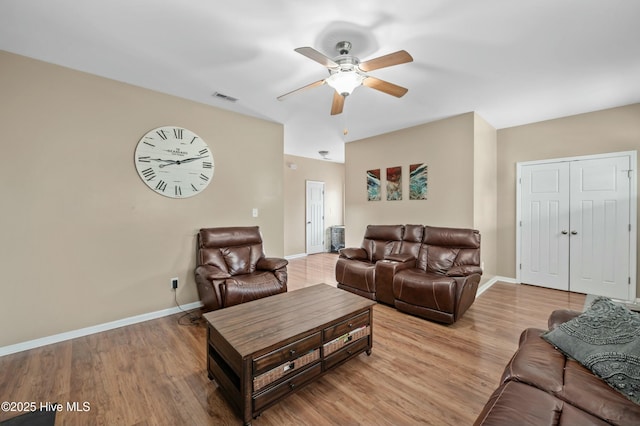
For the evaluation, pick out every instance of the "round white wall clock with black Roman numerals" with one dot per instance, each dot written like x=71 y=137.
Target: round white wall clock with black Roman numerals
x=174 y=162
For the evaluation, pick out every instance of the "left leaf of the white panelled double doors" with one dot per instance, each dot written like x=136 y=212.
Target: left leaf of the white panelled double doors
x=545 y=225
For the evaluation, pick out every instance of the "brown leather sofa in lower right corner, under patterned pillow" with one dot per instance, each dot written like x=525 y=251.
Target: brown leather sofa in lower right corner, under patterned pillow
x=541 y=386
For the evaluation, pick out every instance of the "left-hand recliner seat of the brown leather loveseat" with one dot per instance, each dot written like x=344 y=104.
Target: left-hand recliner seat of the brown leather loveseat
x=355 y=267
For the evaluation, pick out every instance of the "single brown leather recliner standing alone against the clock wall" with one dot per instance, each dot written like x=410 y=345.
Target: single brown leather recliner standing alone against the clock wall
x=232 y=268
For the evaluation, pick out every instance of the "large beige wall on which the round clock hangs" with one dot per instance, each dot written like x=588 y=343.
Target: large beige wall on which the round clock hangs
x=83 y=240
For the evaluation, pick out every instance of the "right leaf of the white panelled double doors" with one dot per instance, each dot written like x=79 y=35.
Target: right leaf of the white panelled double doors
x=600 y=227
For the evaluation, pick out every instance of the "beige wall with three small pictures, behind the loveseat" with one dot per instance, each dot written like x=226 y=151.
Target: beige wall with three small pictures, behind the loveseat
x=460 y=153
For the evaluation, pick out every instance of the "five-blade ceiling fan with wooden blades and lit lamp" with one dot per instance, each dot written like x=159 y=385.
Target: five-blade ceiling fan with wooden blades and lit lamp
x=346 y=72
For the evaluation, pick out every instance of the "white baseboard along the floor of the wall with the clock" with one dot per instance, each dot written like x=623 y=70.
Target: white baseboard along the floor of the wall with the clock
x=36 y=343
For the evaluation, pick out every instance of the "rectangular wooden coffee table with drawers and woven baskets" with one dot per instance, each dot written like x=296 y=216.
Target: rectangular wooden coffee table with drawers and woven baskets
x=261 y=351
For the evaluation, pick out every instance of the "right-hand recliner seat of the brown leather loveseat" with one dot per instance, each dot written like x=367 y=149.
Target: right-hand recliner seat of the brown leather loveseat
x=442 y=283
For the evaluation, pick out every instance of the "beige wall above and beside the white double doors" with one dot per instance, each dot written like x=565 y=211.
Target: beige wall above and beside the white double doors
x=612 y=130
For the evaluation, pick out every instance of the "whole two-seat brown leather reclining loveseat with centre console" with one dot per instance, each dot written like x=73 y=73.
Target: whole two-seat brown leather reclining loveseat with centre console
x=431 y=272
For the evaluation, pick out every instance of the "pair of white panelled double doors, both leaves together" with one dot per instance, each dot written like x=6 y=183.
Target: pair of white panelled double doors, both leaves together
x=575 y=229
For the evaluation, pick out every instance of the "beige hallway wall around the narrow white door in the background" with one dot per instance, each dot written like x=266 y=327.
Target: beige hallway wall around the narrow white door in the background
x=297 y=171
